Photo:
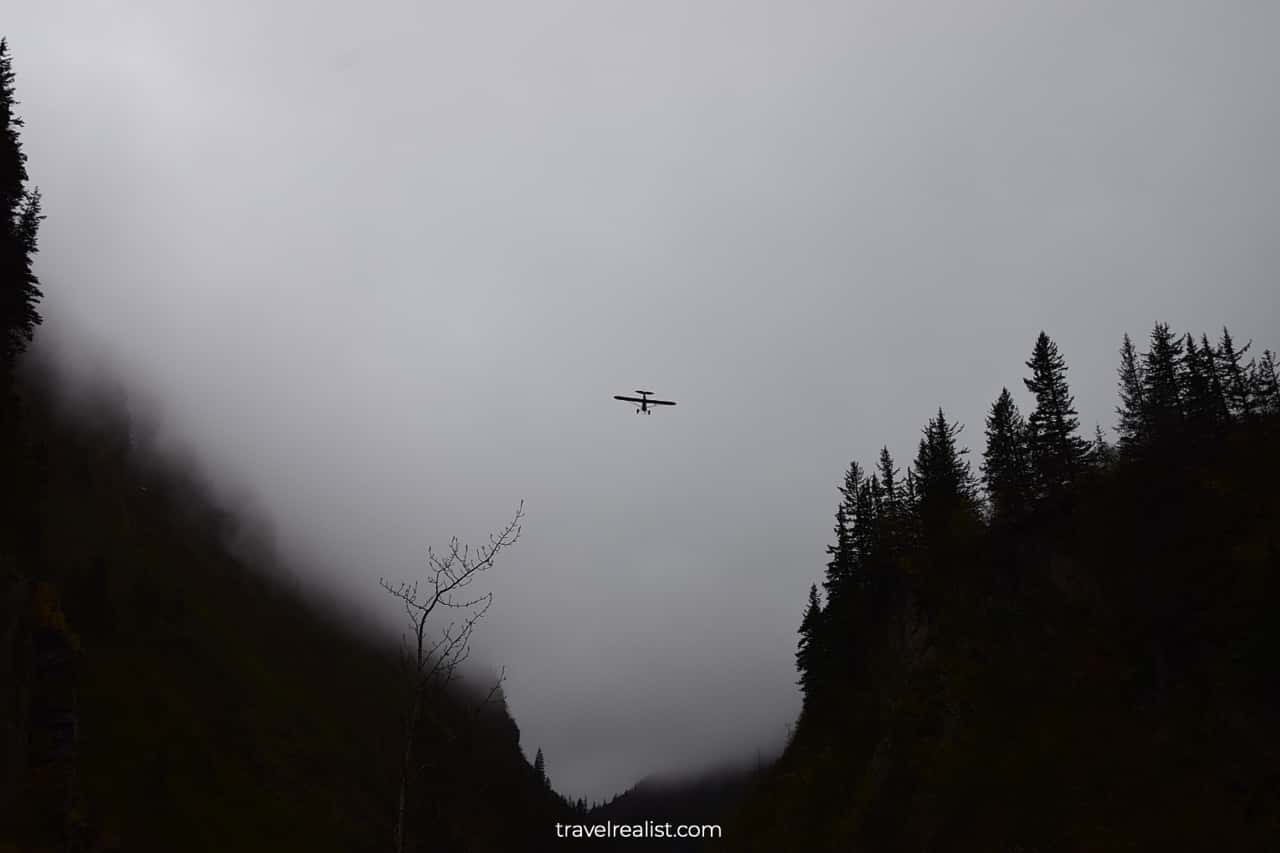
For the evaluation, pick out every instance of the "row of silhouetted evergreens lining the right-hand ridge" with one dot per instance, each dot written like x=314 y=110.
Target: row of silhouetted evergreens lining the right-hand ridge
x=890 y=527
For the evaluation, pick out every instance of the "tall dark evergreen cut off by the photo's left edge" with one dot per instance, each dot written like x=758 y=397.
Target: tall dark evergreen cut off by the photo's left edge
x=20 y=209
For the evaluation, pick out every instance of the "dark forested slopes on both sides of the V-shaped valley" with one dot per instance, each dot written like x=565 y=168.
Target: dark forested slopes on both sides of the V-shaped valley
x=1057 y=644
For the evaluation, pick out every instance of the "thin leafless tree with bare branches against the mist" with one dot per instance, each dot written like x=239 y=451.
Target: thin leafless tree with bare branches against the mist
x=432 y=660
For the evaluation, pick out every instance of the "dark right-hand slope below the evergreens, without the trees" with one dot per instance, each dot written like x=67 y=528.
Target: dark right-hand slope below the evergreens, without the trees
x=1099 y=677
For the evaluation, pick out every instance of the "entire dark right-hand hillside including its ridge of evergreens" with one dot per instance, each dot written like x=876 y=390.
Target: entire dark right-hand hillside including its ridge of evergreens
x=1075 y=653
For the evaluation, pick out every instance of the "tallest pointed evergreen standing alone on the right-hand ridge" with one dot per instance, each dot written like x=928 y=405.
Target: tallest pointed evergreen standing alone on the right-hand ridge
x=1057 y=453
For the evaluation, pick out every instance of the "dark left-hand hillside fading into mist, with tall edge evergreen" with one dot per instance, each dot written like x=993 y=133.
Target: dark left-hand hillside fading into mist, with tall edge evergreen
x=164 y=685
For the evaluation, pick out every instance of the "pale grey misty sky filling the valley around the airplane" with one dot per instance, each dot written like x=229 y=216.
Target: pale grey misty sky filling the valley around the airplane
x=387 y=262
